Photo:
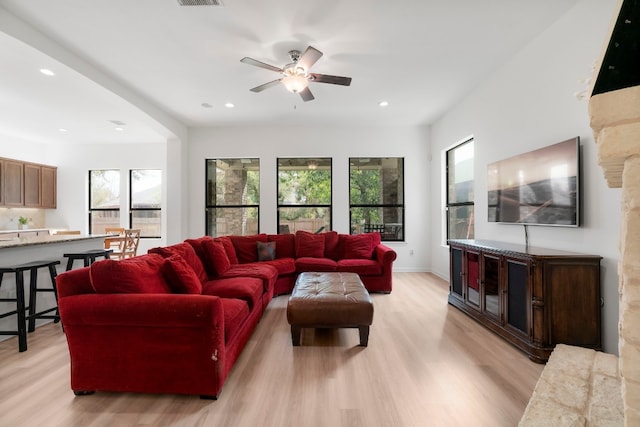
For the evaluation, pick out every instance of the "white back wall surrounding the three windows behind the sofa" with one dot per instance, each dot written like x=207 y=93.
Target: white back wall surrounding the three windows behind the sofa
x=339 y=143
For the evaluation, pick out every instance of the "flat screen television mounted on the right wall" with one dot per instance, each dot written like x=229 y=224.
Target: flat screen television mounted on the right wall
x=541 y=187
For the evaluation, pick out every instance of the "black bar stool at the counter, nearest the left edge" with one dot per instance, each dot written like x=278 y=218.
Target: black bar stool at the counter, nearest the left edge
x=21 y=306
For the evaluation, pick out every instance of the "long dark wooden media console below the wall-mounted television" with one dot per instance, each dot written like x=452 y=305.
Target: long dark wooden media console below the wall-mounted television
x=533 y=298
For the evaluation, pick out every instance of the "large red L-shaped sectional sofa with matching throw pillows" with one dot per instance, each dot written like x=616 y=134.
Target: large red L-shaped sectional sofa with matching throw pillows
x=176 y=319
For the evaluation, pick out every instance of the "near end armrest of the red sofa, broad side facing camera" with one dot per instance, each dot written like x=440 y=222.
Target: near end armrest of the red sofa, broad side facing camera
x=145 y=343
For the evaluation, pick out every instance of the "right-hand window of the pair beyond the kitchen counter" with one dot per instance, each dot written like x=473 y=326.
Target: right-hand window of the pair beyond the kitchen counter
x=145 y=197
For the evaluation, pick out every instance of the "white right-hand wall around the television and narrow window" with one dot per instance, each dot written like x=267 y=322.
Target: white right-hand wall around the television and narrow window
x=526 y=104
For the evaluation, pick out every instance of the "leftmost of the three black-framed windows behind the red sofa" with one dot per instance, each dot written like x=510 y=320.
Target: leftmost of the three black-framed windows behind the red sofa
x=232 y=197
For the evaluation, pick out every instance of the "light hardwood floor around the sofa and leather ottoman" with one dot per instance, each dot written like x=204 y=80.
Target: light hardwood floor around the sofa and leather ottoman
x=427 y=364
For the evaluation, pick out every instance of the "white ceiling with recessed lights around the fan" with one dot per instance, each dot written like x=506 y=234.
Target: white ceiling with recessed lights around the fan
x=419 y=55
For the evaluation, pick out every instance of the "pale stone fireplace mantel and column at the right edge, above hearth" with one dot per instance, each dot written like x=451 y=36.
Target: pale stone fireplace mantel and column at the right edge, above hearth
x=615 y=120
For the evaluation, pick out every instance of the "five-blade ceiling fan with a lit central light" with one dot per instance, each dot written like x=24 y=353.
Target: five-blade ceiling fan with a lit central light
x=296 y=75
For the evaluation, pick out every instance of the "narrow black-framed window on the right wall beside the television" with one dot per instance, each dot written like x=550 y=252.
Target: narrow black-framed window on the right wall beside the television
x=460 y=204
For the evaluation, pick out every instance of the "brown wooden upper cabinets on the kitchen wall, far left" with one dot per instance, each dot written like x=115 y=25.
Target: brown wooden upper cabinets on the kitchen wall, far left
x=27 y=184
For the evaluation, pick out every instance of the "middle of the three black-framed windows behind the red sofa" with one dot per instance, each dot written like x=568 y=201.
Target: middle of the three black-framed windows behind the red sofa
x=304 y=195
